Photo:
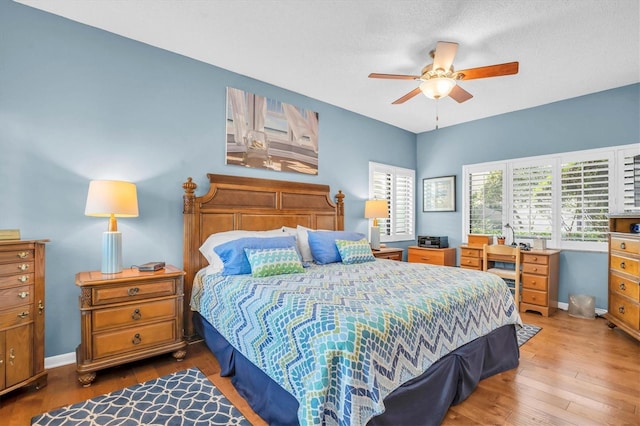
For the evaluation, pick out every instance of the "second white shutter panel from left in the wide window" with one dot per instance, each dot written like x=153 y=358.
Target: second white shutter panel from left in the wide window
x=532 y=201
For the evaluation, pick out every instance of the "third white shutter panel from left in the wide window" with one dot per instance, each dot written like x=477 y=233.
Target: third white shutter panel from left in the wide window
x=585 y=200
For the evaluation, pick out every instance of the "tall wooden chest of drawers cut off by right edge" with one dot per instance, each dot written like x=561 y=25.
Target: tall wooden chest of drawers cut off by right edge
x=624 y=274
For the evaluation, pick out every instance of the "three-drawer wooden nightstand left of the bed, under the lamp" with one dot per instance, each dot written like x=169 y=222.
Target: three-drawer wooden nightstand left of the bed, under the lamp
x=128 y=316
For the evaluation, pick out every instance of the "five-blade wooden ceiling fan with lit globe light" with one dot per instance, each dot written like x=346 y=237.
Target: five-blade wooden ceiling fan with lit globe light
x=439 y=79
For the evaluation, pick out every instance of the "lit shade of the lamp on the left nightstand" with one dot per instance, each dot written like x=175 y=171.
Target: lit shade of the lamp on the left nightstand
x=107 y=197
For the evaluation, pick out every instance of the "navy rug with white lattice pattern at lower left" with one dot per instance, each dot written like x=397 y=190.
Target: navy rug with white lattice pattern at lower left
x=183 y=398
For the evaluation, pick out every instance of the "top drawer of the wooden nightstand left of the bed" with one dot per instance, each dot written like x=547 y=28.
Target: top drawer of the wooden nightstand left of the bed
x=132 y=291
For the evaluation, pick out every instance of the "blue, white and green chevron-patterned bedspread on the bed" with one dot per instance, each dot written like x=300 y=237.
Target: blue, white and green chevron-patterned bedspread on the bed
x=340 y=338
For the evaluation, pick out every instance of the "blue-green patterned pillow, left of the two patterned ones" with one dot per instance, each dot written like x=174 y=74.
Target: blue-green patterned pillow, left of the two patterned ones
x=275 y=261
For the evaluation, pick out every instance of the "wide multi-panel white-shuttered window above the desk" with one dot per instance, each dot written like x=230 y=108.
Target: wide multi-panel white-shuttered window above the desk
x=564 y=198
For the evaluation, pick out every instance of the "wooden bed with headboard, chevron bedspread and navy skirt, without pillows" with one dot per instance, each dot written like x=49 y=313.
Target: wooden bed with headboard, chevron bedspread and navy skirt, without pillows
x=338 y=343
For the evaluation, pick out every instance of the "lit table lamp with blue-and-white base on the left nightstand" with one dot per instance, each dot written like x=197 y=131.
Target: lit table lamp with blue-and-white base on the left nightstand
x=111 y=198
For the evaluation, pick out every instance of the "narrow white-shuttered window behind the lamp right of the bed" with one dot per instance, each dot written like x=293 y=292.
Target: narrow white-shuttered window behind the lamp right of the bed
x=397 y=186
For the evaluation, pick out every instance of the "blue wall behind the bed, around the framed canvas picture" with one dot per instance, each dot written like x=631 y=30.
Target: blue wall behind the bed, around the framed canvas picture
x=78 y=103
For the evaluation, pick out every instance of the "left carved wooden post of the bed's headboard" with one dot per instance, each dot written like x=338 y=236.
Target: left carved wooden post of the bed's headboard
x=190 y=249
